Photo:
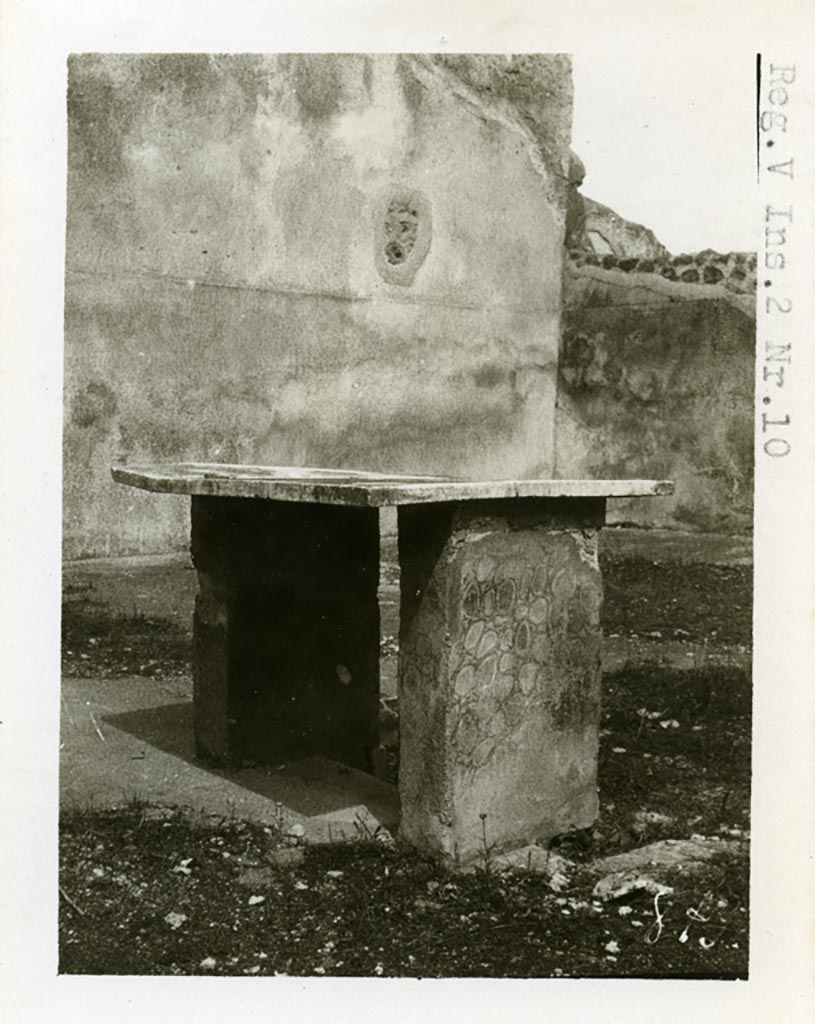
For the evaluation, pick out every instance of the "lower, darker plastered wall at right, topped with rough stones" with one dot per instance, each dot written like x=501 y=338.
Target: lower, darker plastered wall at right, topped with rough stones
x=657 y=380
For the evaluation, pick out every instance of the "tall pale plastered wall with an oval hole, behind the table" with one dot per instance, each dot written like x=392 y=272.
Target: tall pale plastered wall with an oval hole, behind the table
x=230 y=291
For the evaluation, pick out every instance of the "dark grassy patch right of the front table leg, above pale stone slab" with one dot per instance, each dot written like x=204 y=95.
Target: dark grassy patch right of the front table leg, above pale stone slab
x=691 y=765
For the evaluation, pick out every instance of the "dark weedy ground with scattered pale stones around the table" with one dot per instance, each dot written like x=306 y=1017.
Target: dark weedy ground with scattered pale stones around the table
x=674 y=762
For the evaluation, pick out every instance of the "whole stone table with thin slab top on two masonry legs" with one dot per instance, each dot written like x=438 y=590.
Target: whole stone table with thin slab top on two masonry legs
x=499 y=646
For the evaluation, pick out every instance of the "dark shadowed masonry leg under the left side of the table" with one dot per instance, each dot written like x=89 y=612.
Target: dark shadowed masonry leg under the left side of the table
x=286 y=657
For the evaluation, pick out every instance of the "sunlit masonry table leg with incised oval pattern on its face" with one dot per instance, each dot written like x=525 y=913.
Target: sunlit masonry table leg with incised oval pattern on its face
x=500 y=672
